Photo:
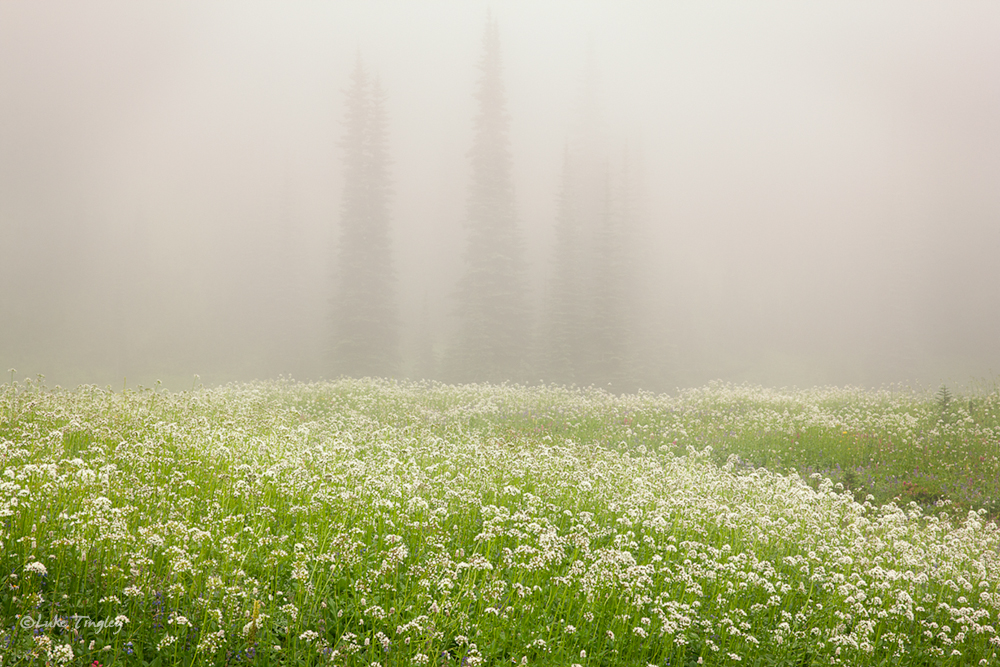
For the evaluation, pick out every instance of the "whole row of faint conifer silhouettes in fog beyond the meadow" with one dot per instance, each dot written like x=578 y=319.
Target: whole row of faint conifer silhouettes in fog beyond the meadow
x=590 y=329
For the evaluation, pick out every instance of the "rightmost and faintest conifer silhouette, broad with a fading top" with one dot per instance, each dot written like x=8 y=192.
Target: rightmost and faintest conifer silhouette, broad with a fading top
x=592 y=311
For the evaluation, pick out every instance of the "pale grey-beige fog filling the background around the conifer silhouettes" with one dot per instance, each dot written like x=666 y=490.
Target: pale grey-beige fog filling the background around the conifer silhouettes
x=816 y=185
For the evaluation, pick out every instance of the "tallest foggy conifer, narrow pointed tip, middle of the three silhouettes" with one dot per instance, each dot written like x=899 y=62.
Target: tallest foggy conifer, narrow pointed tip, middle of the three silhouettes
x=492 y=343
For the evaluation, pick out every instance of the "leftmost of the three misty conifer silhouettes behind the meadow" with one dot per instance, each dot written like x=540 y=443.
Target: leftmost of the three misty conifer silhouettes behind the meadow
x=365 y=321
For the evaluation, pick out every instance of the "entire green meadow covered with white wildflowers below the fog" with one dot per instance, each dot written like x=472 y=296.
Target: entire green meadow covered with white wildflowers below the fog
x=378 y=523
